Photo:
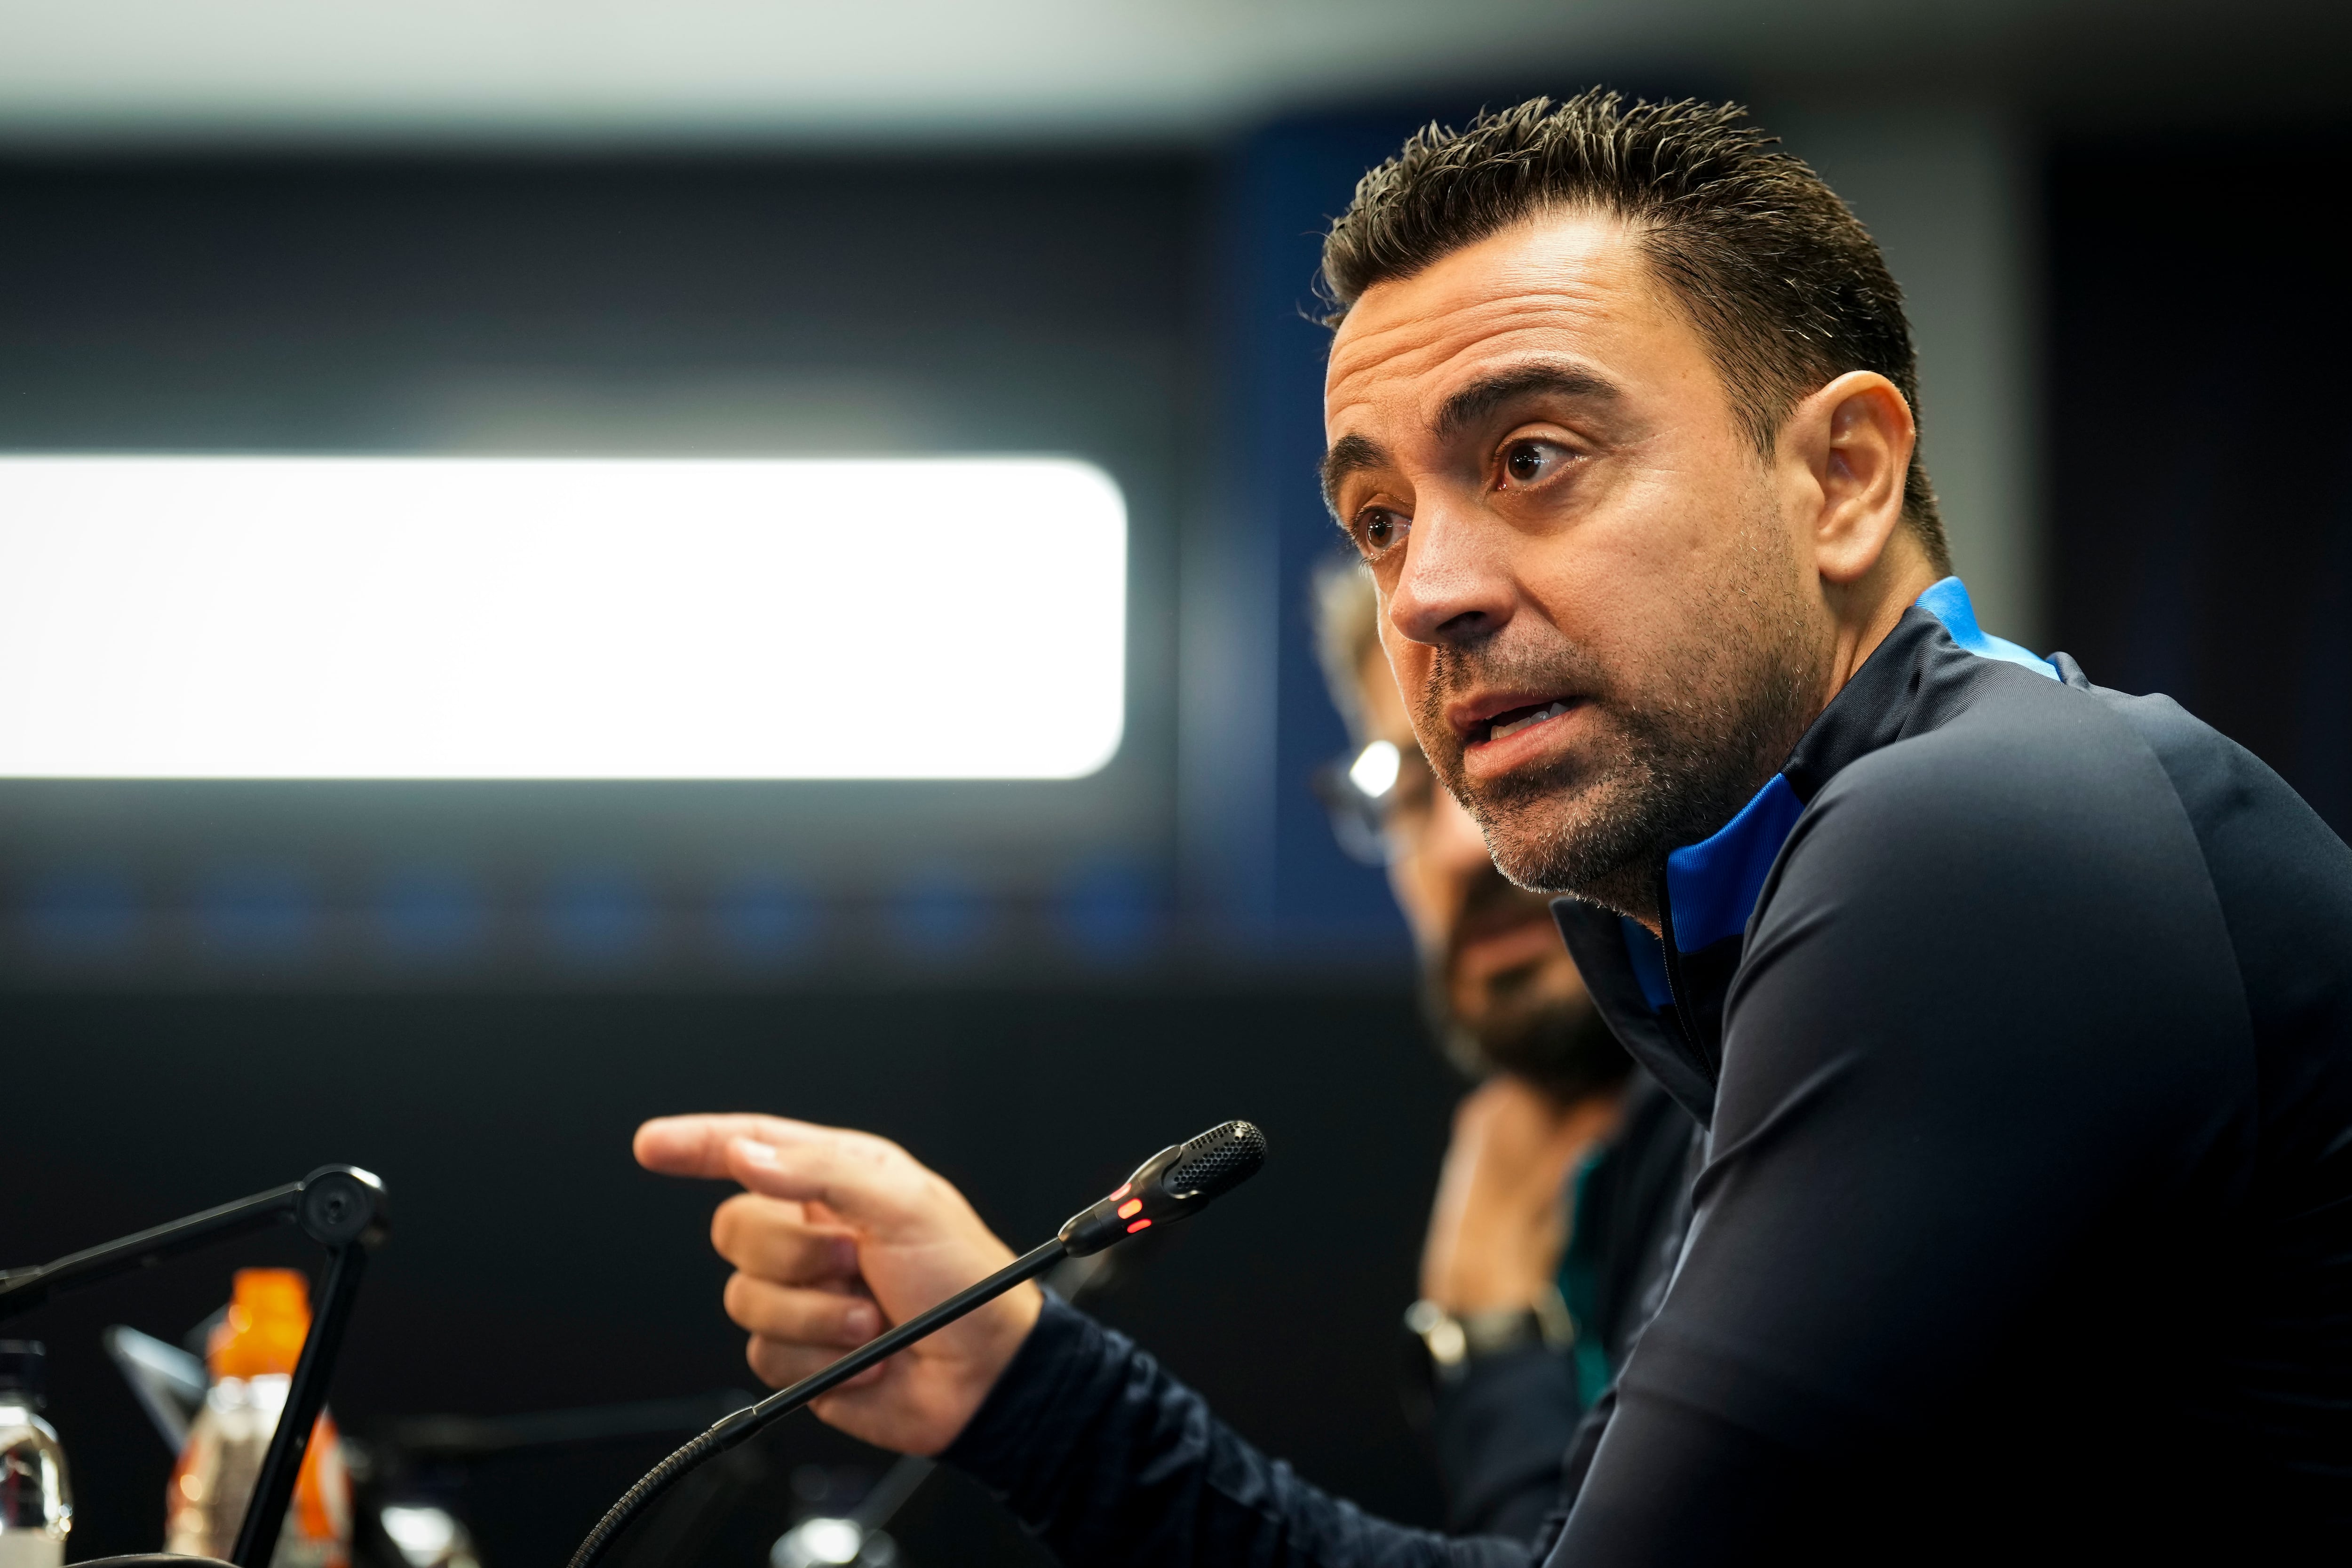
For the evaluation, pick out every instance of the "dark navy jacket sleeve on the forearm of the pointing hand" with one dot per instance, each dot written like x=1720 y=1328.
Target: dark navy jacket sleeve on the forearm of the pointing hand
x=1114 y=1463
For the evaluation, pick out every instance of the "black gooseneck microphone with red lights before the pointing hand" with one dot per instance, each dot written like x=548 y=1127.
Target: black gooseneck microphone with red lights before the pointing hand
x=1175 y=1184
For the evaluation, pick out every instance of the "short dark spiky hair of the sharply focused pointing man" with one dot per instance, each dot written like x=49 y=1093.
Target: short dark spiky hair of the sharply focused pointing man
x=1779 y=276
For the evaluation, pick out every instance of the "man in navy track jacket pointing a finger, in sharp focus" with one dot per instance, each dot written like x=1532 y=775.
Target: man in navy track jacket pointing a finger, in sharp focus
x=2017 y=1012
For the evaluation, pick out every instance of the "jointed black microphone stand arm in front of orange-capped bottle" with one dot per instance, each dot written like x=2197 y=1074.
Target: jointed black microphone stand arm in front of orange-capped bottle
x=342 y=1209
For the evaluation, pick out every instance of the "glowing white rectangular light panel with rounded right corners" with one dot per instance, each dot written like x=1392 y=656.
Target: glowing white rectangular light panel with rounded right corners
x=262 y=617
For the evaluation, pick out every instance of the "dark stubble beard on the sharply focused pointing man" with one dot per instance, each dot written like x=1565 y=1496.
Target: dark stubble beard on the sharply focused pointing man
x=1671 y=765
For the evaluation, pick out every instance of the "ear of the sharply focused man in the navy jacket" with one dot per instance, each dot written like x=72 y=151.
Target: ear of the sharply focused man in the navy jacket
x=1855 y=441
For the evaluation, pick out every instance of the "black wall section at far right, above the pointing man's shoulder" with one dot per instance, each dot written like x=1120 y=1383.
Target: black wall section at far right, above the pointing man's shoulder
x=2203 y=471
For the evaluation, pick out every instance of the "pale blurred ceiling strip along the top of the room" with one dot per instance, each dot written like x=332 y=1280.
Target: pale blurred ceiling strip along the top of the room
x=695 y=72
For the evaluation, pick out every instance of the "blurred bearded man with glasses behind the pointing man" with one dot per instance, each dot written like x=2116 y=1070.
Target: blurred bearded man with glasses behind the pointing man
x=1563 y=1188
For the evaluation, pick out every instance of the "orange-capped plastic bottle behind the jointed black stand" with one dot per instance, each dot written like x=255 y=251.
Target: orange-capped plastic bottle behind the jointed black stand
x=253 y=1369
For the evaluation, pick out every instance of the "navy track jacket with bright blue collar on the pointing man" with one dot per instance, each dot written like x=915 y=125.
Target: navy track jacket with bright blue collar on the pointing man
x=2019 y=1017
